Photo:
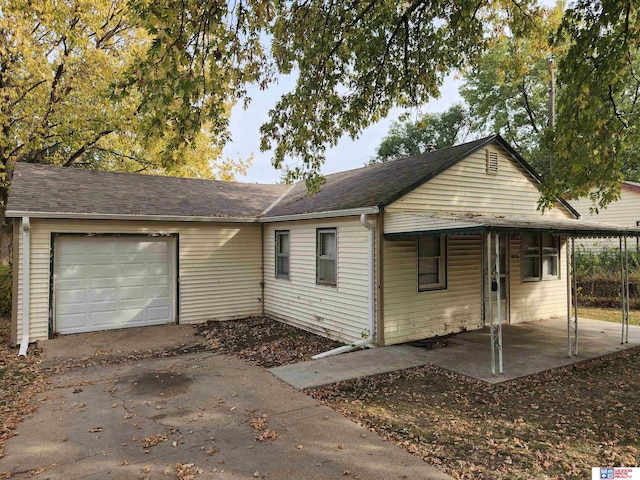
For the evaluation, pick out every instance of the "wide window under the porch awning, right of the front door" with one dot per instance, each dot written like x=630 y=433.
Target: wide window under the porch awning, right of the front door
x=540 y=257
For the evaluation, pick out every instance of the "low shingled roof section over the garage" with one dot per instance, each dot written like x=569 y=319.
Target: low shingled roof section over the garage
x=46 y=189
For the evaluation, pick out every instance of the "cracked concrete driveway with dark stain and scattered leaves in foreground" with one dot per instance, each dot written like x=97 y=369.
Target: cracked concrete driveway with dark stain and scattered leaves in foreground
x=140 y=418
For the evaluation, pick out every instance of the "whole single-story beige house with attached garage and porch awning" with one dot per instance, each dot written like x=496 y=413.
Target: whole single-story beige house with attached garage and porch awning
x=384 y=254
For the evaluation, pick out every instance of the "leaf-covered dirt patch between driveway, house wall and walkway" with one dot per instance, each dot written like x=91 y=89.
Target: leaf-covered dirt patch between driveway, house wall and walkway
x=263 y=341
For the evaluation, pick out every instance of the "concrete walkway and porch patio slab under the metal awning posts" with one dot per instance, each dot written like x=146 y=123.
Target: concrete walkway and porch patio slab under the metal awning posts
x=528 y=348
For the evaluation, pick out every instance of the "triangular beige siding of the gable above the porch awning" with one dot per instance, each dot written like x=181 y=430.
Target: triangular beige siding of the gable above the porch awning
x=467 y=188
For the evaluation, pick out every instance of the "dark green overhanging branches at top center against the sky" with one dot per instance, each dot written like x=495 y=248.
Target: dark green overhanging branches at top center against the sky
x=357 y=60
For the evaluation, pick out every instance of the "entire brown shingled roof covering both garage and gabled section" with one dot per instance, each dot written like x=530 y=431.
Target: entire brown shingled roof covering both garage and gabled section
x=43 y=189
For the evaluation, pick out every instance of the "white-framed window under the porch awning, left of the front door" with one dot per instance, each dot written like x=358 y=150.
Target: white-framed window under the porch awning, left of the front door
x=432 y=262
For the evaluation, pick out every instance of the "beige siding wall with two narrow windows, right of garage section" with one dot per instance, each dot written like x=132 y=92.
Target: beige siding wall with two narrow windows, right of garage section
x=338 y=312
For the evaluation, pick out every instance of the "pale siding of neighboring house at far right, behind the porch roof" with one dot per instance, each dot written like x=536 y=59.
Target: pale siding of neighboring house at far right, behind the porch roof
x=624 y=211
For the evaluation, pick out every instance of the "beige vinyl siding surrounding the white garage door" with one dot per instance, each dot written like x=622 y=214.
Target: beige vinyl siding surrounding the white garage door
x=220 y=267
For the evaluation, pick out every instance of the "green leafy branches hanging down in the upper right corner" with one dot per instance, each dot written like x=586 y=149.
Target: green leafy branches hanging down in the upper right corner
x=597 y=140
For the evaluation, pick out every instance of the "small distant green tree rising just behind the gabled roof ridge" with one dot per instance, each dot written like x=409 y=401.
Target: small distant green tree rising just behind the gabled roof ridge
x=437 y=129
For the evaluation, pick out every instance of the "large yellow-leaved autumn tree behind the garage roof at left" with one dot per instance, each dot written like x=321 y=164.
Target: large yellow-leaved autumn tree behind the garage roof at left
x=75 y=90
